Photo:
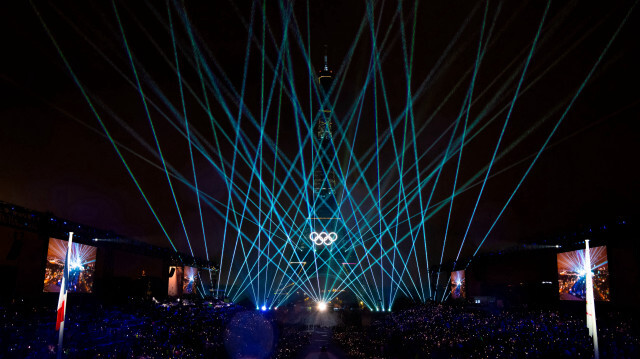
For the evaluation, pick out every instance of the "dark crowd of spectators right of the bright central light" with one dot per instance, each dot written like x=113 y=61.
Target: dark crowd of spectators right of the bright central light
x=440 y=331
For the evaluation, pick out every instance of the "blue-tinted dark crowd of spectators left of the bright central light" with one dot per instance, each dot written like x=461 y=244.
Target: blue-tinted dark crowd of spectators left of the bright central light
x=148 y=329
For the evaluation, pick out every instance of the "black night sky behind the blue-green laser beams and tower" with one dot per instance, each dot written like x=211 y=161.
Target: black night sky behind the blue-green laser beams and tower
x=54 y=155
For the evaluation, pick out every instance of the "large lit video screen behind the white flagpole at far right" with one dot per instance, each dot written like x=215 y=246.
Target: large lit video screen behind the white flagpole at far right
x=572 y=274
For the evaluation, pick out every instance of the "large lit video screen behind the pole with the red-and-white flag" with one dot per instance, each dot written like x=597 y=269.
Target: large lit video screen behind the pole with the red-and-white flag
x=82 y=261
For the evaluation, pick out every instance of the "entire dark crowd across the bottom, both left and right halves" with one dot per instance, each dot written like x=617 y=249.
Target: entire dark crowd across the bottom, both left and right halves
x=214 y=329
